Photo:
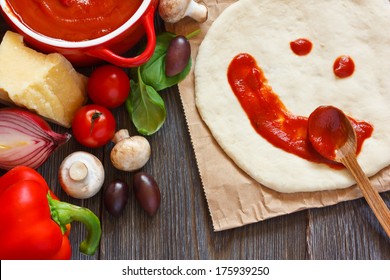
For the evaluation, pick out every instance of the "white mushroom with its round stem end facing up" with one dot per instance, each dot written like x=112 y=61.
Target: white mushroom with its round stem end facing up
x=81 y=175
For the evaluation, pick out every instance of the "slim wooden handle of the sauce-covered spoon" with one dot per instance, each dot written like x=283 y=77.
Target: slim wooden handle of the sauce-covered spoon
x=371 y=195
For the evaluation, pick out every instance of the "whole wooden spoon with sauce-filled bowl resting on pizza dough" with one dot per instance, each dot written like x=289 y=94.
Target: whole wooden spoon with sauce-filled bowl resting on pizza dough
x=332 y=135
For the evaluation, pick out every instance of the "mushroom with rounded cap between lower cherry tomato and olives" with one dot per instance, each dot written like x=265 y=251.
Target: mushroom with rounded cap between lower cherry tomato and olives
x=129 y=153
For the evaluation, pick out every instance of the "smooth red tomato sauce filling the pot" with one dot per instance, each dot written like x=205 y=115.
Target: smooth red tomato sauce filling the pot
x=74 y=20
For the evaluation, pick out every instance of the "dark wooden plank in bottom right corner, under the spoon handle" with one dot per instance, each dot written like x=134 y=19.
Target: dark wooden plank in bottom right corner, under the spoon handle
x=348 y=230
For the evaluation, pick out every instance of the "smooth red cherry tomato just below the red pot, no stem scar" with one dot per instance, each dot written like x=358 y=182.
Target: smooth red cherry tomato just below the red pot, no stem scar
x=108 y=86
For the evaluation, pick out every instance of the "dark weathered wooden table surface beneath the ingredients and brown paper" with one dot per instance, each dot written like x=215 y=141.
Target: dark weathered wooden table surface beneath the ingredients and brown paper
x=182 y=228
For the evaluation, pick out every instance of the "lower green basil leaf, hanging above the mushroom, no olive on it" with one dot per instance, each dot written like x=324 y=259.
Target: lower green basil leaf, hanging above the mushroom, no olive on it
x=146 y=107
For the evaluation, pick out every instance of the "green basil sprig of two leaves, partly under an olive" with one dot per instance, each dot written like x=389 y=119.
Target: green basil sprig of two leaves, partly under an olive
x=144 y=104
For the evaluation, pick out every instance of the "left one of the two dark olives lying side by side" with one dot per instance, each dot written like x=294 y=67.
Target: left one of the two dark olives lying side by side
x=115 y=197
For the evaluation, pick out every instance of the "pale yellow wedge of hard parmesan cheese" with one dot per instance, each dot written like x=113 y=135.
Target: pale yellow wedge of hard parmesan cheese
x=45 y=84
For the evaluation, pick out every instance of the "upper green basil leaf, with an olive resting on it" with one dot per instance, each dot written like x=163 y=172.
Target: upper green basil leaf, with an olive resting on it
x=153 y=71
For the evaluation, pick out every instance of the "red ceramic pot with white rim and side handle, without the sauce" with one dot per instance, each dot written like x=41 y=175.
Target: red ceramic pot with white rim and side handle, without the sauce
x=109 y=47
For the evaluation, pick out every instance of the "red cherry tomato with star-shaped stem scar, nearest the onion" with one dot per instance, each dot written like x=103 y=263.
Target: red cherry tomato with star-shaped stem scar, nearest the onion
x=93 y=126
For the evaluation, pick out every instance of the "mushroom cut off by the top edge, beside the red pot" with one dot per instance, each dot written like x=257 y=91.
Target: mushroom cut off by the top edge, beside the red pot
x=174 y=10
